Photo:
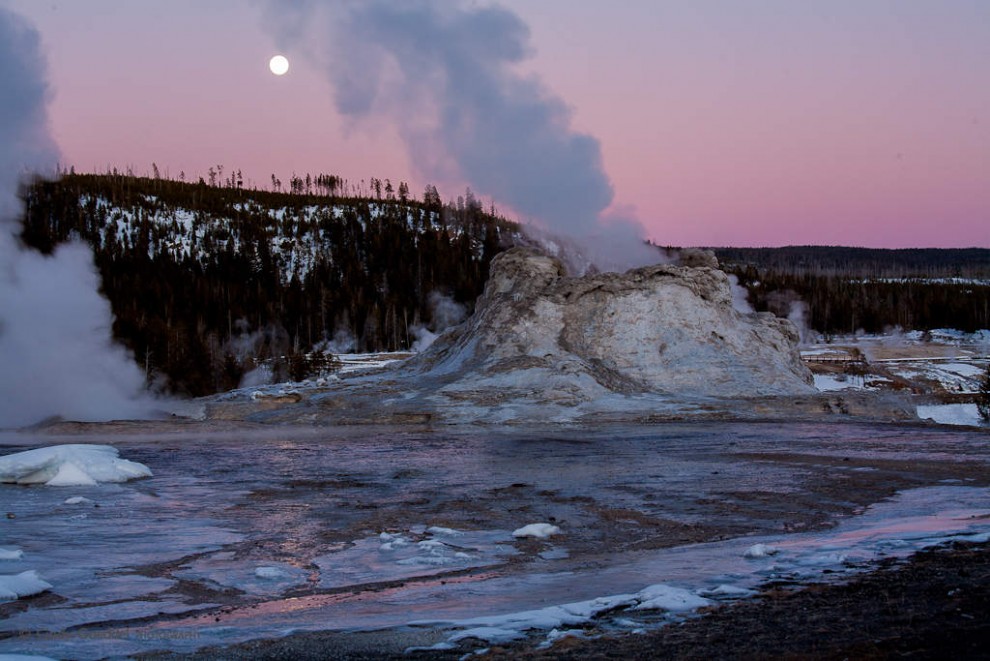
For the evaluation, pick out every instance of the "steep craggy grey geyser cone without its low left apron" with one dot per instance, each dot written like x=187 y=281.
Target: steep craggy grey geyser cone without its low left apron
x=665 y=330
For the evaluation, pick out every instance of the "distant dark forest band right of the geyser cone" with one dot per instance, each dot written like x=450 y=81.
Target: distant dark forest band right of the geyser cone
x=850 y=289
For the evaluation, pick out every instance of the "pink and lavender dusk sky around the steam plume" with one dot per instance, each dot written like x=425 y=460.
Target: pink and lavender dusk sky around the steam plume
x=722 y=122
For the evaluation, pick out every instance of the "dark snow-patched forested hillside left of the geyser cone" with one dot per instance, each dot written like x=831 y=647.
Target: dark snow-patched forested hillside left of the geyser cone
x=207 y=280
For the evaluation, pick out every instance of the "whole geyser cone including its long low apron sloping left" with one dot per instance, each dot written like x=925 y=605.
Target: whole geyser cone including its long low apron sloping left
x=655 y=343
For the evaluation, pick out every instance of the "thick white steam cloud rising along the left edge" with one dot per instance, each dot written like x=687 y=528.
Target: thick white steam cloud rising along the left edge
x=56 y=355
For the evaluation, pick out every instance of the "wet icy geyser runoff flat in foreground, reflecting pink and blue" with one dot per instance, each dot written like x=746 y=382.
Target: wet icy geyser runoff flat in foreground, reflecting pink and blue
x=239 y=537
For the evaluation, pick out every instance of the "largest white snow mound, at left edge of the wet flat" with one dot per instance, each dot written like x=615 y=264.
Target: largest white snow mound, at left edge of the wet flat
x=69 y=465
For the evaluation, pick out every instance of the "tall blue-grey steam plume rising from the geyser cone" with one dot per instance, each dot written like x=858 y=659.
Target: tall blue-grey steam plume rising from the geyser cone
x=444 y=73
